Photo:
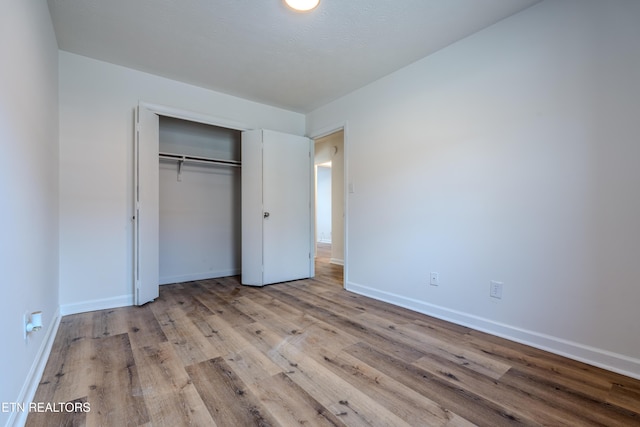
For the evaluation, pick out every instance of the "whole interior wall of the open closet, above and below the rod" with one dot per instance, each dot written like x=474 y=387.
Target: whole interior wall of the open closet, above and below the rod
x=200 y=203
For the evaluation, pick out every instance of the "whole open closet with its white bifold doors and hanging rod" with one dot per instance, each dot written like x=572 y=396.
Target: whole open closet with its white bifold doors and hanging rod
x=213 y=198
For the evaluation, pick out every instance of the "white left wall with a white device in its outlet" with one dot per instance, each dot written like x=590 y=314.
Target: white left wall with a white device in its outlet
x=29 y=192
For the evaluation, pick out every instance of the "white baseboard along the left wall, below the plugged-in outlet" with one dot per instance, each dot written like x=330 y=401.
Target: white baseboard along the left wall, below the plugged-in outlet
x=19 y=418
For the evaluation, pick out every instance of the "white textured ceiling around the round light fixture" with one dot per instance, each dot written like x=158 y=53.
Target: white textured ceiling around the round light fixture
x=261 y=50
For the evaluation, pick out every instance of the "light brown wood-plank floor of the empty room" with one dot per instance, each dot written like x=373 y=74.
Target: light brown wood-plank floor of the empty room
x=308 y=353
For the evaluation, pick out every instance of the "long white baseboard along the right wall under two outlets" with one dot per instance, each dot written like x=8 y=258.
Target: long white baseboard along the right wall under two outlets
x=605 y=359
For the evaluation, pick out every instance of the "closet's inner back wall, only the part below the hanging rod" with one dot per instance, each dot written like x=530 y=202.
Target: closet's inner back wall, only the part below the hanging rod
x=199 y=222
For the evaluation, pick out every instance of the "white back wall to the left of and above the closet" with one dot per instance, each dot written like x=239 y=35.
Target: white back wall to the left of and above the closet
x=97 y=101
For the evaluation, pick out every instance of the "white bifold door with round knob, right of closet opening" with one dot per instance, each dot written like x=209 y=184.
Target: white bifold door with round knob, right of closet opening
x=277 y=233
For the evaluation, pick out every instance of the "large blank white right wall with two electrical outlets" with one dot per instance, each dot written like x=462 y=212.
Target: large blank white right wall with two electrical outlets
x=511 y=155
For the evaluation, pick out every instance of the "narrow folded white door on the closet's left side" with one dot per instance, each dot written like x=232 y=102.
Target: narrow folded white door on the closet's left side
x=146 y=200
